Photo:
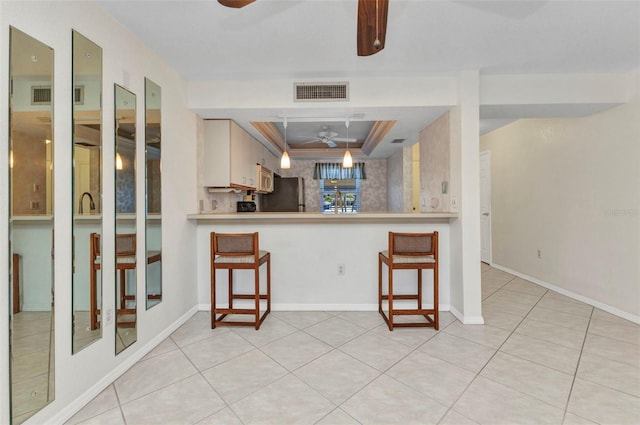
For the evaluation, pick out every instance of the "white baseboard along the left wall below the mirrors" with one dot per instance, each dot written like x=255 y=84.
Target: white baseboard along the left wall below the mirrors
x=77 y=404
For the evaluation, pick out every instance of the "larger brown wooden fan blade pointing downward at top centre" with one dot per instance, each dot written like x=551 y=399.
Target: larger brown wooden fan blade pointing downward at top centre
x=368 y=32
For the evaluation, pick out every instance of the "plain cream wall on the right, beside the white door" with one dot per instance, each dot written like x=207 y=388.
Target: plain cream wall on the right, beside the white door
x=571 y=189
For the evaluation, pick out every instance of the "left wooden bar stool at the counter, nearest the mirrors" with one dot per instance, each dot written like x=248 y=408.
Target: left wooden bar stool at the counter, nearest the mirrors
x=239 y=251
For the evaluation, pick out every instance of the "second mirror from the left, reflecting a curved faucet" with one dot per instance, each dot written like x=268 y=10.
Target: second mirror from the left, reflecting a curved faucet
x=87 y=191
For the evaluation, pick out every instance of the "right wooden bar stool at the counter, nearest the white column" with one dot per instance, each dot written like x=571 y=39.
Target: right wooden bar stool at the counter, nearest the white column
x=417 y=251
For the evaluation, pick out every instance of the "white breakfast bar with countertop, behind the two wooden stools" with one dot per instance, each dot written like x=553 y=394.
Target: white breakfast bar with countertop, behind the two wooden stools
x=322 y=261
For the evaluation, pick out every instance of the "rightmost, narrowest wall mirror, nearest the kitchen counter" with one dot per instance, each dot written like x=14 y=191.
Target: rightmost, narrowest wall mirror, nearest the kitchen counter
x=153 y=170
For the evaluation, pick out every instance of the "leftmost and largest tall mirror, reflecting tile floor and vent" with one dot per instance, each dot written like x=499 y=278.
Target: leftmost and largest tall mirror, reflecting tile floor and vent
x=31 y=225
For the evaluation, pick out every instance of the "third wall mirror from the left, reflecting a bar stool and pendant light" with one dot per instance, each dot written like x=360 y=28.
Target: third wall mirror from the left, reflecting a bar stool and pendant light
x=125 y=176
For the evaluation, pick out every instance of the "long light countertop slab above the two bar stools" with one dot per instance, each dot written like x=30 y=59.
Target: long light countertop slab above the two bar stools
x=317 y=217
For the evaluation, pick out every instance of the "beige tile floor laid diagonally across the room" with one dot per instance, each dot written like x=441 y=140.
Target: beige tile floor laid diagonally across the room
x=540 y=358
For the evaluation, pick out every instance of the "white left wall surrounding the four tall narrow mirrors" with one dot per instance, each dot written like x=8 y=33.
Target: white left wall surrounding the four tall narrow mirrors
x=126 y=61
